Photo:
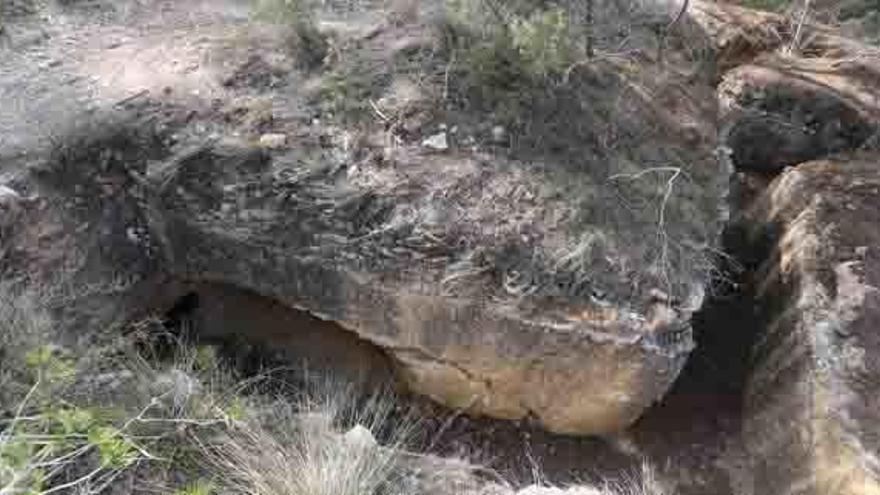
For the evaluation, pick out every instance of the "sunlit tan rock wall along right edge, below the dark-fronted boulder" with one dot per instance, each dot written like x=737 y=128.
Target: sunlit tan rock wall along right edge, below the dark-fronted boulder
x=813 y=407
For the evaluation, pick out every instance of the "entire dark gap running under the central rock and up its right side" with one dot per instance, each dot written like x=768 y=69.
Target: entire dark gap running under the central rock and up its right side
x=694 y=424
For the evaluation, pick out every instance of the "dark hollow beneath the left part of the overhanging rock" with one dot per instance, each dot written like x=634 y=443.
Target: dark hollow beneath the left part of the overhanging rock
x=254 y=333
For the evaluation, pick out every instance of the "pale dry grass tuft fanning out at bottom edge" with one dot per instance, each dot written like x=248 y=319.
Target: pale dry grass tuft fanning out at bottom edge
x=300 y=449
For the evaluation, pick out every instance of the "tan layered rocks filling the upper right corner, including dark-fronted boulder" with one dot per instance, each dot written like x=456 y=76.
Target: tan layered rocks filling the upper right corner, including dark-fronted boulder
x=787 y=95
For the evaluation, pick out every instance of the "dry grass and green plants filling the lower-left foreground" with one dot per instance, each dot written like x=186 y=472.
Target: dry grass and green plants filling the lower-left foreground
x=170 y=419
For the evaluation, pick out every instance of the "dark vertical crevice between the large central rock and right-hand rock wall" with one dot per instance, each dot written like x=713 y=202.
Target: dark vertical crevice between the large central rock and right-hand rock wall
x=698 y=424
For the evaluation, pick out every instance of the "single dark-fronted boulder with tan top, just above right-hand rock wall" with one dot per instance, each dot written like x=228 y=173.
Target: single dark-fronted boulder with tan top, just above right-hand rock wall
x=781 y=111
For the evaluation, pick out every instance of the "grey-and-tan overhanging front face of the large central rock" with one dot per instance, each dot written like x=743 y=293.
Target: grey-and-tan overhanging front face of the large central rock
x=362 y=257
